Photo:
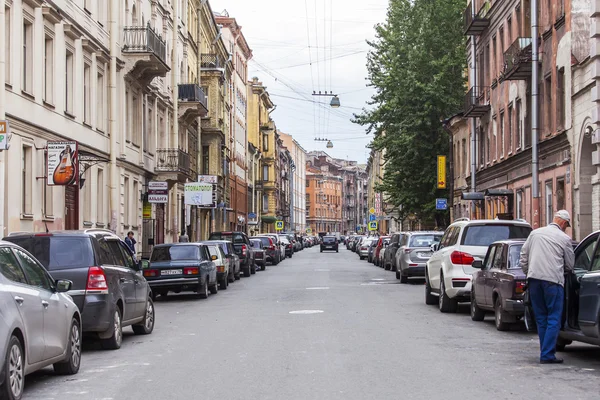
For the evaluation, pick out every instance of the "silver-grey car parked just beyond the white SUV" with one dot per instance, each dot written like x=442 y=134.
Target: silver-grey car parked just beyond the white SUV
x=413 y=253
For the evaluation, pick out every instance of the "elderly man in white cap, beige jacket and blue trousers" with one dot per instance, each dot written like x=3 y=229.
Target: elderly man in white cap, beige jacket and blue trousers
x=546 y=257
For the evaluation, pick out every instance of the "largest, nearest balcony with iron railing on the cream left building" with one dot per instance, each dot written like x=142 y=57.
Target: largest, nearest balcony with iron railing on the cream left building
x=146 y=53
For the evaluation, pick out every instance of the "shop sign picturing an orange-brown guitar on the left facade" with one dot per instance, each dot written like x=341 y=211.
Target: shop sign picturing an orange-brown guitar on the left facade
x=63 y=164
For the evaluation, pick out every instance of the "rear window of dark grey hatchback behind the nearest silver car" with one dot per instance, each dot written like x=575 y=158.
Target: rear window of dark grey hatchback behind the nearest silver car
x=59 y=252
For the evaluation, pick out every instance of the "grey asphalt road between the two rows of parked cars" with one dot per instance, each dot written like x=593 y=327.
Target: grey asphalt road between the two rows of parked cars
x=372 y=339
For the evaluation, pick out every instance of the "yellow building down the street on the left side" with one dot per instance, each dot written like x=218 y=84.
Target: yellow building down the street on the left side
x=263 y=136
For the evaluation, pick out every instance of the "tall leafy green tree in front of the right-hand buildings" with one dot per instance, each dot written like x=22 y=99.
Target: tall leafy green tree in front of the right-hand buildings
x=416 y=64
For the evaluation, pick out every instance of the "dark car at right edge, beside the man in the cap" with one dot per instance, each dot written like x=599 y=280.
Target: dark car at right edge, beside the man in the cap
x=581 y=315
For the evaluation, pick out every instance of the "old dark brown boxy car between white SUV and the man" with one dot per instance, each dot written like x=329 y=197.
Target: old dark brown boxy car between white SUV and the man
x=498 y=284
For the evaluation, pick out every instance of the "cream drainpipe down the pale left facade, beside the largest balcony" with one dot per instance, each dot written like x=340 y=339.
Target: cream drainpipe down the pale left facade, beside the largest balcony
x=114 y=112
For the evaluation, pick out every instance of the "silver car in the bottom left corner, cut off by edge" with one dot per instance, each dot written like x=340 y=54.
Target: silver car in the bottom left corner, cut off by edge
x=40 y=323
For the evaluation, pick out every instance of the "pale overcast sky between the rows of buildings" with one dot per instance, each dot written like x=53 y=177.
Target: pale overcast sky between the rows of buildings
x=301 y=46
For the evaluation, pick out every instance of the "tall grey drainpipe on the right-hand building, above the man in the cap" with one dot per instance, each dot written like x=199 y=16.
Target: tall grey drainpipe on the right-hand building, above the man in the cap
x=534 y=114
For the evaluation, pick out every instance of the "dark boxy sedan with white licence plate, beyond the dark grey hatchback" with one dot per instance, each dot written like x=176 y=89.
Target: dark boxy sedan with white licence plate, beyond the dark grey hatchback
x=182 y=267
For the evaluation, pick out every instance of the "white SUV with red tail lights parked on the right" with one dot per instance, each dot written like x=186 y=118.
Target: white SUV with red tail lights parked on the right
x=448 y=271
